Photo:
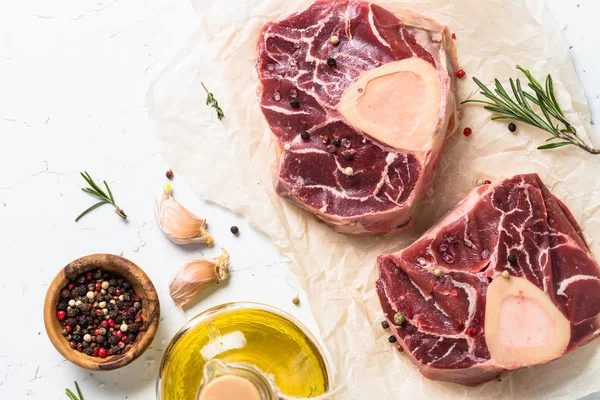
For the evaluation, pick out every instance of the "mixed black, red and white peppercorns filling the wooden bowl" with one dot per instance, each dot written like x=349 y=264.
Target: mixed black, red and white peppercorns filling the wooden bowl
x=100 y=313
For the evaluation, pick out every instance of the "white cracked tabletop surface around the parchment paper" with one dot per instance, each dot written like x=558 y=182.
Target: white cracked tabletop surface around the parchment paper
x=73 y=76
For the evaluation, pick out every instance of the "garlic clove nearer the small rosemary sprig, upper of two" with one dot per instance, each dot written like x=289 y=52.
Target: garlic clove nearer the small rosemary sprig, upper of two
x=178 y=223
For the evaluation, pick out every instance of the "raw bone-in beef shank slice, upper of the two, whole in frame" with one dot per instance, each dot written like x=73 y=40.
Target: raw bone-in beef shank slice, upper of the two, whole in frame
x=361 y=102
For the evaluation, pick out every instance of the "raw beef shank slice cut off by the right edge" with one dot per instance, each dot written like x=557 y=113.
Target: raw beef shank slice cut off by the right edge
x=504 y=280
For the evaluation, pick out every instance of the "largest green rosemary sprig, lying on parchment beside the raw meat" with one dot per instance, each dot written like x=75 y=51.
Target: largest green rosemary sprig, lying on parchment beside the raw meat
x=518 y=108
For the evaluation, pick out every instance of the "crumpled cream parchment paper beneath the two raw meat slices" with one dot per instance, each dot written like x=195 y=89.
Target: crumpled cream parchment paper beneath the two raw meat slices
x=230 y=163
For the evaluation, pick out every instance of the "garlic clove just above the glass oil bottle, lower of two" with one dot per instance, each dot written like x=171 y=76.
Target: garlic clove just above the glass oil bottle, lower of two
x=197 y=275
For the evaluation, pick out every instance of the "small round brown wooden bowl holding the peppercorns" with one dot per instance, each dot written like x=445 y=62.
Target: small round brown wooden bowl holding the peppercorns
x=143 y=288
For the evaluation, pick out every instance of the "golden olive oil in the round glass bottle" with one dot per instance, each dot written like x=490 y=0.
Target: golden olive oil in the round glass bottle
x=248 y=333
